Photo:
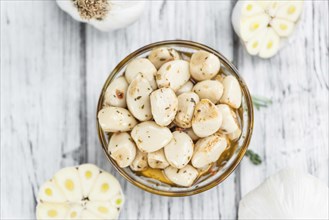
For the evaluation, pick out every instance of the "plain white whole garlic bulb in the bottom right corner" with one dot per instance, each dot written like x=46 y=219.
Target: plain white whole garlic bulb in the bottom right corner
x=289 y=194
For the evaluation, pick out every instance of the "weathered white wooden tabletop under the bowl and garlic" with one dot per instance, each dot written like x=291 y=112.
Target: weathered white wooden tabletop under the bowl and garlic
x=53 y=68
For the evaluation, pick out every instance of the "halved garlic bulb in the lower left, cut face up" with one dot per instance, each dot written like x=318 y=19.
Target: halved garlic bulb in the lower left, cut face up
x=83 y=192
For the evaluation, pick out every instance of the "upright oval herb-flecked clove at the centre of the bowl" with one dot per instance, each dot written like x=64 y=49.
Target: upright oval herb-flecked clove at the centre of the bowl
x=164 y=106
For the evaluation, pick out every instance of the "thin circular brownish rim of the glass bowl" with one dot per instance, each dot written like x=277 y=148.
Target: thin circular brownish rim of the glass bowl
x=244 y=147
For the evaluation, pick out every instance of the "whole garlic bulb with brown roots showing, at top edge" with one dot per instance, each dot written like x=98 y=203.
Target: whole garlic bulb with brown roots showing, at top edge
x=105 y=15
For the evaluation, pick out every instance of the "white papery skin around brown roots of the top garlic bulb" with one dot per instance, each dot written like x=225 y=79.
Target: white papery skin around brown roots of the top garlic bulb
x=119 y=14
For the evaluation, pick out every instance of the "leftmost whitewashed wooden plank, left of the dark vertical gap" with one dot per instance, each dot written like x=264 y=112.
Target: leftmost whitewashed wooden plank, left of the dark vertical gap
x=40 y=100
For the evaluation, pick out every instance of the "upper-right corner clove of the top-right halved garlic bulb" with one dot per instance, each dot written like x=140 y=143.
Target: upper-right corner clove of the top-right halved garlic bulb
x=290 y=10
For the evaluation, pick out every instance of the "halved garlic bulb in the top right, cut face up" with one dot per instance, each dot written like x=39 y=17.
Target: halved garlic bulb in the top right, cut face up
x=264 y=25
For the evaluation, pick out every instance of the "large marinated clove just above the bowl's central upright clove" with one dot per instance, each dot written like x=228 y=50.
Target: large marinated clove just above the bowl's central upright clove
x=173 y=74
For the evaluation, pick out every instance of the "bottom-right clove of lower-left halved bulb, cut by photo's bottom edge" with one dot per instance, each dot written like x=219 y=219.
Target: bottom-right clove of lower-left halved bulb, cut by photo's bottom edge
x=104 y=210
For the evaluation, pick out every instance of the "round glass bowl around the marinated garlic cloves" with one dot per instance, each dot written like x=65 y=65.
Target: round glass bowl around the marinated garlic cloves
x=232 y=158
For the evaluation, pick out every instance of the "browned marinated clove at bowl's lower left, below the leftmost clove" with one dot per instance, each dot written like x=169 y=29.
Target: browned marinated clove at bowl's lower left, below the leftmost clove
x=122 y=149
